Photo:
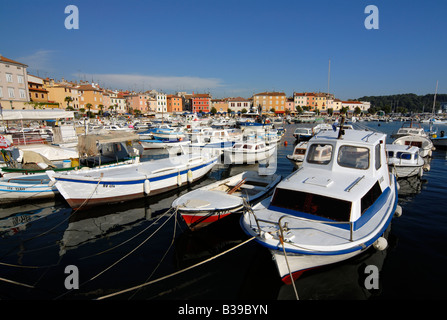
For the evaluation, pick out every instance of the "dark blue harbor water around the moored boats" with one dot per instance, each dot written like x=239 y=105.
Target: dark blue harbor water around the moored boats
x=142 y=250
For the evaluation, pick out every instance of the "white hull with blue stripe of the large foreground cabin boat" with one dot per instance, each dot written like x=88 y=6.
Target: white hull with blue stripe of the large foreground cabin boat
x=298 y=258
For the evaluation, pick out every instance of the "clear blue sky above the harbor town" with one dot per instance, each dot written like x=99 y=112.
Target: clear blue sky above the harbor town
x=234 y=48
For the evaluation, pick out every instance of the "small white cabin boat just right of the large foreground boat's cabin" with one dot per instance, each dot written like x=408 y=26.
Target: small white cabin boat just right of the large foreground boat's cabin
x=405 y=161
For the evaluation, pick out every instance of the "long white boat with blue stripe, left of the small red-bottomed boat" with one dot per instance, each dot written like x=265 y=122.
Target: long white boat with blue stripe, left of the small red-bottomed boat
x=130 y=181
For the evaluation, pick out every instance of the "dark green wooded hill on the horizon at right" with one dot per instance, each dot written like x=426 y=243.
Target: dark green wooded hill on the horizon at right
x=404 y=103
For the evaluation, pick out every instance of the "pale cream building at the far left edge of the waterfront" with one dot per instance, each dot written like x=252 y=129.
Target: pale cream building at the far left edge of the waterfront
x=14 y=93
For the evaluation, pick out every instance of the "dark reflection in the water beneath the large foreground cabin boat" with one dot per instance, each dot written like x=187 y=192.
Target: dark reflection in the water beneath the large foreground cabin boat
x=347 y=280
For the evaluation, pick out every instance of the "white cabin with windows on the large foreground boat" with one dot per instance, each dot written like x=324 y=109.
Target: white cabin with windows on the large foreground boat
x=340 y=179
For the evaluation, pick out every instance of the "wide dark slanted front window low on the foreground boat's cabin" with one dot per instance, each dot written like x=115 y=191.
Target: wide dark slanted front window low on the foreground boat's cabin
x=325 y=207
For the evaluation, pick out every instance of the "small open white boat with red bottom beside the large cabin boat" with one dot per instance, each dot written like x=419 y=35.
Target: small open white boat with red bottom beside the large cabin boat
x=215 y=201
